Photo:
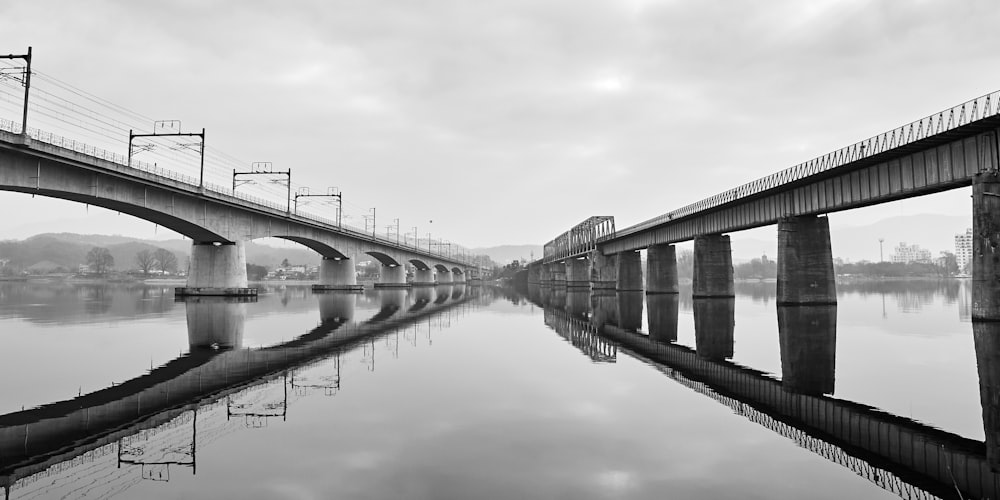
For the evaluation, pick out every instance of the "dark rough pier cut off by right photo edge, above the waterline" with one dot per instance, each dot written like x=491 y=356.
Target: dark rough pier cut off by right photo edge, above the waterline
x=986 y=248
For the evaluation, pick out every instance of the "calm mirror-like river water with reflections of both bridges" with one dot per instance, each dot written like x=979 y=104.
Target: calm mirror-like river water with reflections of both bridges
x=474 y=392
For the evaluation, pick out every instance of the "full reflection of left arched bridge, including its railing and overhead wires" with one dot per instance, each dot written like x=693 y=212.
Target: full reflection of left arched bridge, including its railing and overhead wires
x=162 y=418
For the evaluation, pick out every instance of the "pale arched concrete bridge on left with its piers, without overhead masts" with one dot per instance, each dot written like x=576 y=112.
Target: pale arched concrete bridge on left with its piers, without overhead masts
x=217 y=221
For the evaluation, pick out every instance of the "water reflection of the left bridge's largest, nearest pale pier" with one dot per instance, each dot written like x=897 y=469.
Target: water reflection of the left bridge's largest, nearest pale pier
x=215 y=322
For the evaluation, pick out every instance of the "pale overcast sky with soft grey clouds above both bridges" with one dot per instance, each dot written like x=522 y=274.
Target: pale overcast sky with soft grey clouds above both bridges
x=508 y=122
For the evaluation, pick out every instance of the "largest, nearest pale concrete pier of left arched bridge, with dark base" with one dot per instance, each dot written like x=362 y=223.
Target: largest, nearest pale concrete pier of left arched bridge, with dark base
x=217 y=269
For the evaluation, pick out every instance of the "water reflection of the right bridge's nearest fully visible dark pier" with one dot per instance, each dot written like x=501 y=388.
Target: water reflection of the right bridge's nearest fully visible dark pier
x=808 y=339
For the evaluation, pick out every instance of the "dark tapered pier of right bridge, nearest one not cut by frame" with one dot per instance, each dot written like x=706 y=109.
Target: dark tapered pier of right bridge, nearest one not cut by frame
x=805 y=262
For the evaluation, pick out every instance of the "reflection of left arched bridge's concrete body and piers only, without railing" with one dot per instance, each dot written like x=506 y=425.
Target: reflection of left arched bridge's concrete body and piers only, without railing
x=216 y=366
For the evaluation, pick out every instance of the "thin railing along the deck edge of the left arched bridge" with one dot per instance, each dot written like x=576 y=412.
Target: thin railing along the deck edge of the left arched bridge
x=154 y=169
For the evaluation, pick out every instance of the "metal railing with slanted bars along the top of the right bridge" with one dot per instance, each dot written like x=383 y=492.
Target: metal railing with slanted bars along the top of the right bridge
x=963 y=114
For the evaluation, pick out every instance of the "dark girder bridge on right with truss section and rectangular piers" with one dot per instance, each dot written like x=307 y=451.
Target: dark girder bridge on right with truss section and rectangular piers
x=950 y=149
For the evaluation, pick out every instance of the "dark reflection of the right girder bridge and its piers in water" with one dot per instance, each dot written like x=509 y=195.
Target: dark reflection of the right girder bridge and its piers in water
x=900 y=455
